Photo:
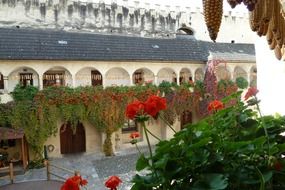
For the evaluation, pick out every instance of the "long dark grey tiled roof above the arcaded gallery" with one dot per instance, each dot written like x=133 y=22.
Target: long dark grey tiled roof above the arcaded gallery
x=35 y=44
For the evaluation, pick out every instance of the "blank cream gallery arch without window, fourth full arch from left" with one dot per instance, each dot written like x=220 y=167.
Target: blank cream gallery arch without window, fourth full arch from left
x=117 y=76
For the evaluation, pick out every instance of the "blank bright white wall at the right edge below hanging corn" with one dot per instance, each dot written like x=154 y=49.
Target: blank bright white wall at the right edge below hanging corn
x=270 y=79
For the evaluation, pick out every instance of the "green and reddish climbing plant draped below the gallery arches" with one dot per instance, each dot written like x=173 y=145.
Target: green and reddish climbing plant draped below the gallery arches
x=38 y=112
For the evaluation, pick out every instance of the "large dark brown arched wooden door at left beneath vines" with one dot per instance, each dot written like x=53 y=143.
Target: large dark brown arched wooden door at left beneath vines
x=71 y=142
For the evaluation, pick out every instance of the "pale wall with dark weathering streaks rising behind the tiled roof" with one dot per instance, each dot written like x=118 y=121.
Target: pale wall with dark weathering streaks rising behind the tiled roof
x=127 y=18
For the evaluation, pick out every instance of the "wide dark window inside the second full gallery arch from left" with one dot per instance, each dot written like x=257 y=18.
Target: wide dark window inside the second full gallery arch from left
x=53 y=79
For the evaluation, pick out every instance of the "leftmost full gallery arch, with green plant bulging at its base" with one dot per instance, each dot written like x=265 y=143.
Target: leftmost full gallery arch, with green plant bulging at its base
x=24 y=76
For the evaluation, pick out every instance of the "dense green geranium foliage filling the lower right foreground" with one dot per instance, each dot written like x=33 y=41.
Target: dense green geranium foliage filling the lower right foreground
x=226 y=150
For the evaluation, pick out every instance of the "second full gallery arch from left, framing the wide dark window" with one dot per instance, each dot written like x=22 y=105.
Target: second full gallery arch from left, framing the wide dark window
x=57 y=76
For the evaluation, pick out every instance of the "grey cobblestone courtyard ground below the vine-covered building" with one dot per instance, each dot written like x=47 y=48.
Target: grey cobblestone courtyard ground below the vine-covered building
x=96 y=168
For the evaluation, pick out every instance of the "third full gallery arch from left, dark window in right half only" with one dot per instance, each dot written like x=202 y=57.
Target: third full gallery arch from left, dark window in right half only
x=88 y=76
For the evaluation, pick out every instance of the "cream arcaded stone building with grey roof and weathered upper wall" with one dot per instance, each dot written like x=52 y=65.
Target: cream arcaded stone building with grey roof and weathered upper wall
x=66 y=43
